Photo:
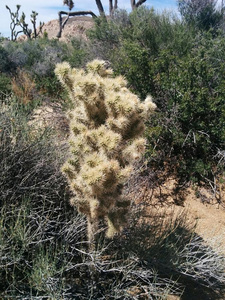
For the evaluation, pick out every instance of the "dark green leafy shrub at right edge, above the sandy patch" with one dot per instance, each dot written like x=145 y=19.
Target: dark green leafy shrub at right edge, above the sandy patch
x=193 y=118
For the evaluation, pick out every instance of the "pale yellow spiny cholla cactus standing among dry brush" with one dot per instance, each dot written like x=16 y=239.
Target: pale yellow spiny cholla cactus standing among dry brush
x=106 y=126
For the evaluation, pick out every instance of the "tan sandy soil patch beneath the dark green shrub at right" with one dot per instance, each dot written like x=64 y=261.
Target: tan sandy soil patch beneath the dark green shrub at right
x=199 y=205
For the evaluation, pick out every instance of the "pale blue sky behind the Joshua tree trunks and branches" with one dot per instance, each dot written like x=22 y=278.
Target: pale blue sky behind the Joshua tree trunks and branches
x=48 y=9
